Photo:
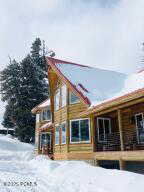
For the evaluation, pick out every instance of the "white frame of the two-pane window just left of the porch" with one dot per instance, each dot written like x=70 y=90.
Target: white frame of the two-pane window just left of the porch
x=79 y=131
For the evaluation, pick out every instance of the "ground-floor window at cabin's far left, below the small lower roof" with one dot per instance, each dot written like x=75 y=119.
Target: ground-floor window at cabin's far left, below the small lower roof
x=45 y=139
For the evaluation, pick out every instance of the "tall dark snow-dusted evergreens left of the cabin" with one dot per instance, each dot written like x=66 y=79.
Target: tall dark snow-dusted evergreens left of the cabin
x=23 y=86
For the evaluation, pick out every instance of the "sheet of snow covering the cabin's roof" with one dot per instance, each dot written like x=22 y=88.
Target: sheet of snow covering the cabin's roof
x=101 y=85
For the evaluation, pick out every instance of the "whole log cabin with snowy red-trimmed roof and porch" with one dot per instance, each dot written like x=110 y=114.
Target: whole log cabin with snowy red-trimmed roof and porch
x=93 y=115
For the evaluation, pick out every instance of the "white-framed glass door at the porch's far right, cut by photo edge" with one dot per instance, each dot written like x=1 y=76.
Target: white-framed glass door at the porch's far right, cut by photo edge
x=140 y=127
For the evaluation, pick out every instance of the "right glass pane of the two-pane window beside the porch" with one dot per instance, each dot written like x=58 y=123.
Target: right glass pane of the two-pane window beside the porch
x=84 y=130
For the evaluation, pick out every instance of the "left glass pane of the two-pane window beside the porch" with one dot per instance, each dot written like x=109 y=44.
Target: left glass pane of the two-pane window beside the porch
x=75 y=131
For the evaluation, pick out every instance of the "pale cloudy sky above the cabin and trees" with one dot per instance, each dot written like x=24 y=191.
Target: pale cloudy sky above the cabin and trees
x=102 y=33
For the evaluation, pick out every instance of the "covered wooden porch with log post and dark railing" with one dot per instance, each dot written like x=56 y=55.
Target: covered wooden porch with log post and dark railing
x=120 y=130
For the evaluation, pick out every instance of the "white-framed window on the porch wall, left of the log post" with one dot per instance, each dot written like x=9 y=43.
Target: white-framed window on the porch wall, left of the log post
x=104 y=128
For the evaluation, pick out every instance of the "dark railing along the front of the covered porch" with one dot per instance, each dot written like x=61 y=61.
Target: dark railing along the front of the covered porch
x=111 y=141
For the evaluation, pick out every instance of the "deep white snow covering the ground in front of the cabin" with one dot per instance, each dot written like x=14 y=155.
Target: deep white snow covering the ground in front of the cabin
x=19 y=166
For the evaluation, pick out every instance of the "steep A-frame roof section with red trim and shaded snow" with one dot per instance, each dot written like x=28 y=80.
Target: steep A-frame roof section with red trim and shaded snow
x=91 y=84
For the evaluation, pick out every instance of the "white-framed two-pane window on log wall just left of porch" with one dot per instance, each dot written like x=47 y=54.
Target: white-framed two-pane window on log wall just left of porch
x=80 y=131
